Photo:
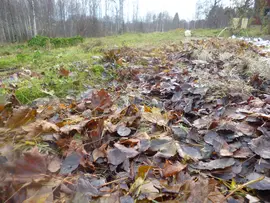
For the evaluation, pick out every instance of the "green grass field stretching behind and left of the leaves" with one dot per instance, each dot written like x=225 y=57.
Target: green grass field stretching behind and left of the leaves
x=78 y=60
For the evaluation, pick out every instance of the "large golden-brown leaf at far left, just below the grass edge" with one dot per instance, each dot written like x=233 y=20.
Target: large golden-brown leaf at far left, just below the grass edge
x=20 y=117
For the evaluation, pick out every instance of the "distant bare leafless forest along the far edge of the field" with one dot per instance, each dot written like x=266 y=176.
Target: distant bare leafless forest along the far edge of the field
x=20 y=20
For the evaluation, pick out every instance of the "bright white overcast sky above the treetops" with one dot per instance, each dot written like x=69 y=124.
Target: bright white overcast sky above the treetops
x=185 y=8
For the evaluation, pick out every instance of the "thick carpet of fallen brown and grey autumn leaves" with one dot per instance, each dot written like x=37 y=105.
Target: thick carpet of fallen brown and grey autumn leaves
x=182 y=123
